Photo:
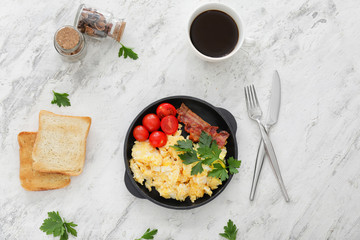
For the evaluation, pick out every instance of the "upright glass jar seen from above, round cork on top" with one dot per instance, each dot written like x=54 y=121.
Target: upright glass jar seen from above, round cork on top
x=69 y=43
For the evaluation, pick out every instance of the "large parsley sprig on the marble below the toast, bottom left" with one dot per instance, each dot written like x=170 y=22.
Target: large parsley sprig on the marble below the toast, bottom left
x=58 y=227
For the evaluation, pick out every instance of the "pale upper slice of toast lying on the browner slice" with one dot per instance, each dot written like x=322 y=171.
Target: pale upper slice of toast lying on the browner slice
x=60 y=144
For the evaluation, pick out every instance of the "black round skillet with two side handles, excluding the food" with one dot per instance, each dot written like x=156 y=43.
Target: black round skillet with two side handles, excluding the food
x=213 y=115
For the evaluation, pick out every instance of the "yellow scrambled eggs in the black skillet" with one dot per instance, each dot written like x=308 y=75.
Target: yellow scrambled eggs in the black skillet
x=163 y=169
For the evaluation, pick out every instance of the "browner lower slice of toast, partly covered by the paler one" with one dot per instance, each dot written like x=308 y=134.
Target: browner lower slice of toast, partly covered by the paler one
x=30 y=179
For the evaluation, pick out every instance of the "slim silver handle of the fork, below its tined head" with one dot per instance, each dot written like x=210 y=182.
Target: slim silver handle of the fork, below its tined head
x=273 y=160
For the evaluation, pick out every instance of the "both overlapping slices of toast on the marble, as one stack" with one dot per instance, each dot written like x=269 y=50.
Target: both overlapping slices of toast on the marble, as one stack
x=57 y=151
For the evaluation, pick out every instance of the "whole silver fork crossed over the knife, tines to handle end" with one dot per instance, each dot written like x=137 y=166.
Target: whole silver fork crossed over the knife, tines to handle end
x=255 y=113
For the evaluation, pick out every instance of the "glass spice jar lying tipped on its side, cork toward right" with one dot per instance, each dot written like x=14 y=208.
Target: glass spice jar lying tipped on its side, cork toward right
x=98 y=24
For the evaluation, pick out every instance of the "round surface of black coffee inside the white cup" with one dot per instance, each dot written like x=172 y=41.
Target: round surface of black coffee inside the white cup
x=214 y=33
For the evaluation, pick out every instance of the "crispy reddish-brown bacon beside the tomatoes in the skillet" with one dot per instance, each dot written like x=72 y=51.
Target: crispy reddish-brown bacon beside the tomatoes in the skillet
x=194 y=125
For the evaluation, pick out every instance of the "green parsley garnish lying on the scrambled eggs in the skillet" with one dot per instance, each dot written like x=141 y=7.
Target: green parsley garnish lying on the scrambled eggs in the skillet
x=207 y=153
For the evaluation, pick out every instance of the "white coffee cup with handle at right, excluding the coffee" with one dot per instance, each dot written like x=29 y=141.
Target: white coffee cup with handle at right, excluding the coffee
x=242 y=41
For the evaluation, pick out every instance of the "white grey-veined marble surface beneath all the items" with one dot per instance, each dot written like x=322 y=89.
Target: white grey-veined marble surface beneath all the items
x=314 y=44
